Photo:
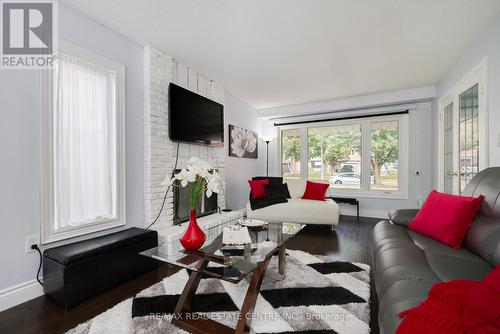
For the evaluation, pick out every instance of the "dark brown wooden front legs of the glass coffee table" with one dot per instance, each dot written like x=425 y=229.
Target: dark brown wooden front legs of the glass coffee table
x=206 y=326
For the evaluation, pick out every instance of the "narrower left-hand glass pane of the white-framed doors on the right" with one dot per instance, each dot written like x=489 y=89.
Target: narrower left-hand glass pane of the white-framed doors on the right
x=448 y=148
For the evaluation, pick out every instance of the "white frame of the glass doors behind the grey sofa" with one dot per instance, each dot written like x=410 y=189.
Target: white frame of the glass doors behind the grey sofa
x=478 y=74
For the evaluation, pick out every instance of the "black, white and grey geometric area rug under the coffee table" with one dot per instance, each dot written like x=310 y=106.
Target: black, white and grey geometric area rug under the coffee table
x=317 y=296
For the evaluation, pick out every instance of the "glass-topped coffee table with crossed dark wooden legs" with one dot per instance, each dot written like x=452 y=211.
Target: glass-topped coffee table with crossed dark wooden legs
x=231 y=263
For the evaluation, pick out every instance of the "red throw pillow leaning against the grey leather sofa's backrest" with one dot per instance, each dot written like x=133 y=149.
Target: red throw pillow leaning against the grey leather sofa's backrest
x=446 y=218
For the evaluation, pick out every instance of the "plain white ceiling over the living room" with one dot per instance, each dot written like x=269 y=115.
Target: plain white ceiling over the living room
x=282 y=52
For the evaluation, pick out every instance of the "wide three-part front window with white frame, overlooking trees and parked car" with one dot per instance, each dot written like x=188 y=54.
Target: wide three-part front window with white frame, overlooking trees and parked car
x=358 y=157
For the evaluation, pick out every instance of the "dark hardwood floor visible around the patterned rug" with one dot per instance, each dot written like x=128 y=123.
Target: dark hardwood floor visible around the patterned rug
x=350 y=242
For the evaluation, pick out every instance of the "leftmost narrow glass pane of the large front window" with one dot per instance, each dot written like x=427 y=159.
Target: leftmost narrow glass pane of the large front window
x=290 y=153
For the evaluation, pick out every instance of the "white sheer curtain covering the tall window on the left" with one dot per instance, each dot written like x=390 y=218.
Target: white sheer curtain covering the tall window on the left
x=84 y=133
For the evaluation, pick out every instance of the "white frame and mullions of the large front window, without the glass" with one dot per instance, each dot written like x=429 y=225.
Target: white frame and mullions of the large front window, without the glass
x=364 y=191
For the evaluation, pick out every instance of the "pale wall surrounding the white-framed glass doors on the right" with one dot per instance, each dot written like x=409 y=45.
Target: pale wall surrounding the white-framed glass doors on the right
x=486 y=45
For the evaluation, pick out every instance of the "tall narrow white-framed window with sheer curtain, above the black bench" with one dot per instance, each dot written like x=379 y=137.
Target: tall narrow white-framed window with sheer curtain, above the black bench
x=83 y=141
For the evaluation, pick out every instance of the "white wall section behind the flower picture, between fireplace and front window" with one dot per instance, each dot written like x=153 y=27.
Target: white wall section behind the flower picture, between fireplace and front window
x=240 y=170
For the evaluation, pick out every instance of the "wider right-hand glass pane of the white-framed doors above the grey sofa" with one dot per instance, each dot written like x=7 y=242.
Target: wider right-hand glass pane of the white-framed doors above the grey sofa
x=468 y=134
